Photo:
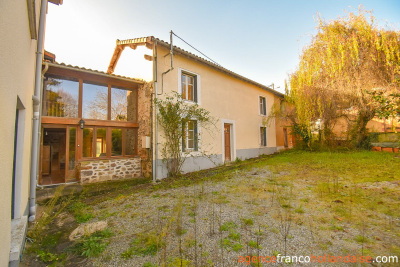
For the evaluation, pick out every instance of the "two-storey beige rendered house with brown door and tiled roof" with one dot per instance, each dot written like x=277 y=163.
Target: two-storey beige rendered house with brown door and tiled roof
x=239 y=104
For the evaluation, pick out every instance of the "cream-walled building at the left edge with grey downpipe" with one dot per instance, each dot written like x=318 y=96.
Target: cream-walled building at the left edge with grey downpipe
x=21 y=39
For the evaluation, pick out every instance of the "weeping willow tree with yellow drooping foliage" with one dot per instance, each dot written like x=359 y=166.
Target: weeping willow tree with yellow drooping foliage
x=347 y=59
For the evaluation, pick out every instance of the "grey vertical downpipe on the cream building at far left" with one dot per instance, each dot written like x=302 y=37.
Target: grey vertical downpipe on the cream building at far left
x=36 y=98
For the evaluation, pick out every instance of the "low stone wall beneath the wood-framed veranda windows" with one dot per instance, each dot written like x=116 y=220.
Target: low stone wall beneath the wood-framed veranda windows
x=92 y=171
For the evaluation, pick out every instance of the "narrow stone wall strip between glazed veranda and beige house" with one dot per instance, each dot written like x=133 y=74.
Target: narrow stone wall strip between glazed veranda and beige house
x=144 y=120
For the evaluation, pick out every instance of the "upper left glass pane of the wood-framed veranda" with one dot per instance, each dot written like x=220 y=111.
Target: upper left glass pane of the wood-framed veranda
x=60 y=98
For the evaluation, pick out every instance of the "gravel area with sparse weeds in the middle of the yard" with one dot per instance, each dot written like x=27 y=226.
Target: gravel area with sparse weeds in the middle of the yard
x=248 y=210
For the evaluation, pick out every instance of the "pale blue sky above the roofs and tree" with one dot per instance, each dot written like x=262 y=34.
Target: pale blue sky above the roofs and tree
x=261 y=40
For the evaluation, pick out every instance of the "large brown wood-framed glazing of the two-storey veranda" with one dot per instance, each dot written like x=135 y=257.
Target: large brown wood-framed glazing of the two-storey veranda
x=90 y=97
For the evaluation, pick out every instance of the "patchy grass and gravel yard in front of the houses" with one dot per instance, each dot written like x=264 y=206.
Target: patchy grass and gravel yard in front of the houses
x=328 y=194
